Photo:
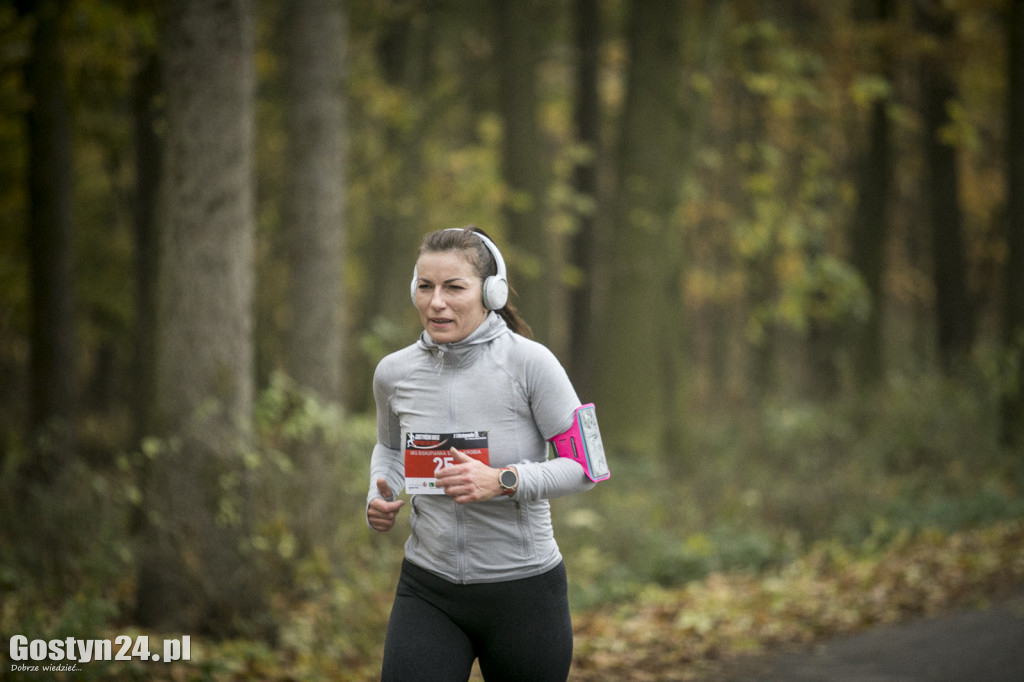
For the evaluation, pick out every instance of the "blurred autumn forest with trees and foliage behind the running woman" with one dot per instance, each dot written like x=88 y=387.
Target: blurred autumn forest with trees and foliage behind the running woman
x=781 y=245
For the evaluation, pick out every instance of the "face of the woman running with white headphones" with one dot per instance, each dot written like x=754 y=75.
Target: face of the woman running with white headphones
x=449 y=296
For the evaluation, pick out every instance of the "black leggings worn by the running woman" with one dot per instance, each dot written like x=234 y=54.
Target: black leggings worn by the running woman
x=520 y=630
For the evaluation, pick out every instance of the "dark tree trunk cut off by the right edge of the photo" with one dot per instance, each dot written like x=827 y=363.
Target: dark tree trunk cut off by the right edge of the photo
x=1013 y=320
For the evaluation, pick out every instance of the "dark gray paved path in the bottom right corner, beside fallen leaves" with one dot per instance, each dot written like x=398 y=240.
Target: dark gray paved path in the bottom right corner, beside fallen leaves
x=961 y=647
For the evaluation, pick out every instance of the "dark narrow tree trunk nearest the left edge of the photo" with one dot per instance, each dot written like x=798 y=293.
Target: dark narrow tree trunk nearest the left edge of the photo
x=54 y=348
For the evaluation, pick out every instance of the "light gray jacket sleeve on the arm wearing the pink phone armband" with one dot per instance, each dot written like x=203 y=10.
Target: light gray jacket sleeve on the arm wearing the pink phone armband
x=553 y=402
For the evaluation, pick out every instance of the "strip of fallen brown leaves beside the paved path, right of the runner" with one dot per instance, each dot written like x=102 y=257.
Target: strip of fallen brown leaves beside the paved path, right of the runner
x=685 y=634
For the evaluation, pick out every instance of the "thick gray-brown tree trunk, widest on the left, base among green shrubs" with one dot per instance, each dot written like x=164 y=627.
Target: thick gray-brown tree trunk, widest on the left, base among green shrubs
x=194 y=577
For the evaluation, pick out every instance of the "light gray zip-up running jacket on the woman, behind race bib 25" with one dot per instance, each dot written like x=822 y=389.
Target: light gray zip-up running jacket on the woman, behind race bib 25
x=494 y=381
